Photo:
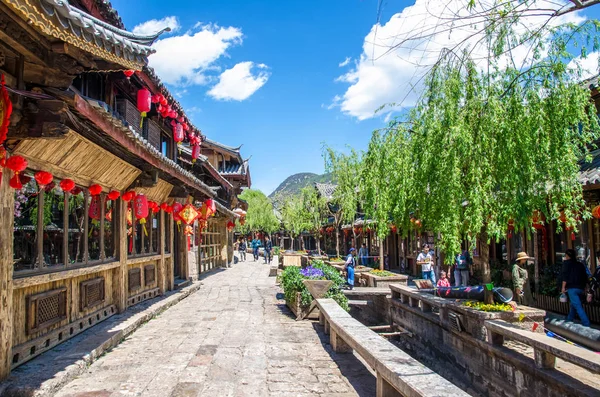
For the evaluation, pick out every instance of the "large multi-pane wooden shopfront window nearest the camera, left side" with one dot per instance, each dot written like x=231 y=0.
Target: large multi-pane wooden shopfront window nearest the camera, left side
x=53 y=229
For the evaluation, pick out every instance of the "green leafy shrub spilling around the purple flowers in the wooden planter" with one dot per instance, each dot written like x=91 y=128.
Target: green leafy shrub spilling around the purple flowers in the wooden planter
x=291 y=281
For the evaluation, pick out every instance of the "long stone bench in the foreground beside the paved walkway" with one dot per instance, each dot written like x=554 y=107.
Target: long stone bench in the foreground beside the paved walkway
x=398 y=374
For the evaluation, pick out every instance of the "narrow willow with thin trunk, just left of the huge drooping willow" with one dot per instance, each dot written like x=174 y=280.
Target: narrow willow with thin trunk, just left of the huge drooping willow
x=386 y=182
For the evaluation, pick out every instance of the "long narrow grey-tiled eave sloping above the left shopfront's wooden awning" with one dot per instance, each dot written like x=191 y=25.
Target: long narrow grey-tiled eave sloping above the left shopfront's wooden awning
x=118 y=121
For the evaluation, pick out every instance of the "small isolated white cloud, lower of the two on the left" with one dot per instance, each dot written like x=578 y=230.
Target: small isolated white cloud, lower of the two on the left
x=238 y=83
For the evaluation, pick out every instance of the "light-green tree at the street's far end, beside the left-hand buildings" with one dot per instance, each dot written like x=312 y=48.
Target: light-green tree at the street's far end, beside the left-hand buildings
x=260 y=215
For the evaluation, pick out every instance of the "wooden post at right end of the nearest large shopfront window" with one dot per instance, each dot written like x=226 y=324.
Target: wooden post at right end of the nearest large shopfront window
x=120 y=273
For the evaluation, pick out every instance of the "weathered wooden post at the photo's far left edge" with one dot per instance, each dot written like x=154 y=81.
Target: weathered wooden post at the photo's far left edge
x=7 y=208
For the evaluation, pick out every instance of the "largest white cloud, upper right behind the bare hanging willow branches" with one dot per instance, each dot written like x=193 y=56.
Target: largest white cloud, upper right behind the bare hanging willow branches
x=396 y=55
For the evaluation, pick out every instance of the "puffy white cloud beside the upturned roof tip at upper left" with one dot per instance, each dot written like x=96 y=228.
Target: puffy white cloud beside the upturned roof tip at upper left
x=185 y=59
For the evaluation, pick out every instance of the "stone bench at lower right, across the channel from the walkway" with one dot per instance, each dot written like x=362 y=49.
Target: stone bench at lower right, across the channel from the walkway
x=545 y=349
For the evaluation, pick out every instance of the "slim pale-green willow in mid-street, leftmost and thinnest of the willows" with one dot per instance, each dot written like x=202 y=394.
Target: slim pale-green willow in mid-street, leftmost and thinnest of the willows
x=345 y=170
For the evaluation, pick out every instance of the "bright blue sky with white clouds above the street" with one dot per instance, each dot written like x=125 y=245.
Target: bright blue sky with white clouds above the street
x=284 y=77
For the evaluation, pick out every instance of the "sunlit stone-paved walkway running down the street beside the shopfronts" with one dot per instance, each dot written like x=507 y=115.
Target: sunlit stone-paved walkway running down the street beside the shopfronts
x=233 y=337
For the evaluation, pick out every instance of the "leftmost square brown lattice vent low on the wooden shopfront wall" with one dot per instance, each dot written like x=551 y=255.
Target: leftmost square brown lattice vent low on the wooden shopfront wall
x=46 y=309
